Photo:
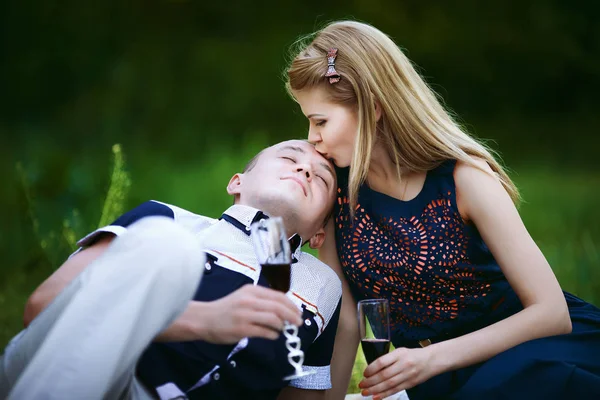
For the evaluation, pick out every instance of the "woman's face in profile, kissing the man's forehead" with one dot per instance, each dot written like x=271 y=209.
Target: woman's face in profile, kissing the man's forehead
x=333 y=128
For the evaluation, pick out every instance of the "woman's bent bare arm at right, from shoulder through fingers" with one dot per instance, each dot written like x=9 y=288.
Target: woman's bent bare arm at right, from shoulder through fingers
x=483 y=201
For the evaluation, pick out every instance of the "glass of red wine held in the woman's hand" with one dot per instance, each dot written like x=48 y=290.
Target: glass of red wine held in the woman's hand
x=374 y=328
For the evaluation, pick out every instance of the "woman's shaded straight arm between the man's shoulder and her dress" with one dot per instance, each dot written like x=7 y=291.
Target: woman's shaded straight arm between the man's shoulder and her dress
x=346 y=339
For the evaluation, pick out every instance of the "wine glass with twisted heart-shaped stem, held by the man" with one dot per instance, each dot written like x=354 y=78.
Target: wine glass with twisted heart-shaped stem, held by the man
x=275 y=257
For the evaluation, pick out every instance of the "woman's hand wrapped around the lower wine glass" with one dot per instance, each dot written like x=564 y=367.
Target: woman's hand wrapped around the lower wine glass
x=396 y=371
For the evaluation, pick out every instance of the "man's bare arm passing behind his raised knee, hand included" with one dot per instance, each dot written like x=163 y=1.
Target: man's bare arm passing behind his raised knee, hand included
x=250 y=311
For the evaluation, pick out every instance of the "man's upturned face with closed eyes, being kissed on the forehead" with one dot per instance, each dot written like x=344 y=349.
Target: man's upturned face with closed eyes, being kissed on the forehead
x=292 y=180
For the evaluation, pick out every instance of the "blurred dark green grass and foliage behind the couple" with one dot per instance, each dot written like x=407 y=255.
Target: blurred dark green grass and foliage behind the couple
x=192 y=89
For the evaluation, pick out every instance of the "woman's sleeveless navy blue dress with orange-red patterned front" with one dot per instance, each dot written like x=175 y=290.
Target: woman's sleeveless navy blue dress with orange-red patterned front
x=443 y=282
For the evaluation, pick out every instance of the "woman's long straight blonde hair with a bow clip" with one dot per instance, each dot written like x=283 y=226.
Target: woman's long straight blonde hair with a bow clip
x=414 y=126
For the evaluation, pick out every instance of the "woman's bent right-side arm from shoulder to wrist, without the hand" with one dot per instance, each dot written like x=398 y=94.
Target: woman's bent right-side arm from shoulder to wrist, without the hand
x=484 y=202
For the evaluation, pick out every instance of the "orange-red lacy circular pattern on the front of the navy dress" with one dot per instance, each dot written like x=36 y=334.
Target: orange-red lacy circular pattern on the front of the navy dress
x=419 y=264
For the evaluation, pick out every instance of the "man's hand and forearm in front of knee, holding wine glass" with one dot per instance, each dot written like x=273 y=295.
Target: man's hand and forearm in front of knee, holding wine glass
x=251 y=311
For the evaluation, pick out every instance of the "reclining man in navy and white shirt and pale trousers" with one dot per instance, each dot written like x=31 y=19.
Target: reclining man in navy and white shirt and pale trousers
x=125 y=327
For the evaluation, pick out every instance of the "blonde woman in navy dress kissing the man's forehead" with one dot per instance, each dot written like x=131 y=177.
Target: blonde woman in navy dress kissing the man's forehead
x=426 y=218
